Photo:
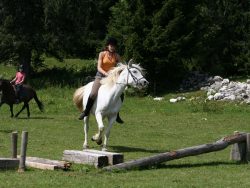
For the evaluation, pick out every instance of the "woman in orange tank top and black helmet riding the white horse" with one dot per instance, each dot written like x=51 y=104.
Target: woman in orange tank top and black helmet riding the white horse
x=106 y=61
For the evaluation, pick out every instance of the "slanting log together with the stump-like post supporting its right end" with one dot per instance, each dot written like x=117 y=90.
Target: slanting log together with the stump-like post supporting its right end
x=239 y=152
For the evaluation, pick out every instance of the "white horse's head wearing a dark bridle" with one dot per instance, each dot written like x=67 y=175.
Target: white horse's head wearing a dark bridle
x=135 y=75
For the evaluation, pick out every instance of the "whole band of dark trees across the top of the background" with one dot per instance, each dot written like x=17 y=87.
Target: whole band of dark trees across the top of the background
x=168 y=37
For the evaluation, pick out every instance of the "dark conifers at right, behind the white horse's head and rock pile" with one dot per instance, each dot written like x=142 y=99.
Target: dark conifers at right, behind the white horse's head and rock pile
x=172 y=37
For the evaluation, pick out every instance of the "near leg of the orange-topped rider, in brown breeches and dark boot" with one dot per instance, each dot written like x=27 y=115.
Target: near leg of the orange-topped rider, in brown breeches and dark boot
x=91 y=98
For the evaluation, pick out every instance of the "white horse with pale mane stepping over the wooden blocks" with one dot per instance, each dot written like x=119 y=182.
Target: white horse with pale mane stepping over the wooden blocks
x=108 y=102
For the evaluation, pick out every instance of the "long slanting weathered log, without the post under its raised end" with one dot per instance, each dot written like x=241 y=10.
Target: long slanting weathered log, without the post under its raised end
x=181 y=153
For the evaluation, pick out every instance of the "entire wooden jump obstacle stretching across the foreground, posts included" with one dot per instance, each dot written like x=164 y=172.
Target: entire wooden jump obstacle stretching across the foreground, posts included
x=110 y=161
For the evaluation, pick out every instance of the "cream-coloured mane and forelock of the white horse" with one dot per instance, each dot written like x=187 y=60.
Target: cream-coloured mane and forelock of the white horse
x=115 y=72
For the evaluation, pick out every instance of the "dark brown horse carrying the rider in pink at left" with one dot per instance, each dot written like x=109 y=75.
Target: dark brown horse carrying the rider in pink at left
x=8 y=96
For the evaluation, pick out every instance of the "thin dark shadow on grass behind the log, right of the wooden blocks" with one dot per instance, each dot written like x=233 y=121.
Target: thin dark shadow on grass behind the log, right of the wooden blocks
x=134 y=149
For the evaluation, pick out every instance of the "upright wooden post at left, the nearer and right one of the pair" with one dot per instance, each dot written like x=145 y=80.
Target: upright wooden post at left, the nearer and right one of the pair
x=23 y=151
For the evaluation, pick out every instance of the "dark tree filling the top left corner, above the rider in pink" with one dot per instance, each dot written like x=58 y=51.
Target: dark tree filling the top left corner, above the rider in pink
x=21 y=30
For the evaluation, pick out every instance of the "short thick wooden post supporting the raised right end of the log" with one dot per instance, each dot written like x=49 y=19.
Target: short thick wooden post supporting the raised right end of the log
x=238 y=150
